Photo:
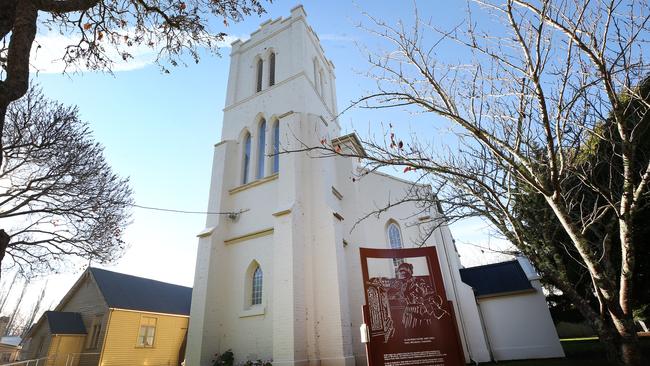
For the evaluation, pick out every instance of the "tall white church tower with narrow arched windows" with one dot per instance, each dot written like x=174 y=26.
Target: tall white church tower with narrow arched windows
x=269 y=281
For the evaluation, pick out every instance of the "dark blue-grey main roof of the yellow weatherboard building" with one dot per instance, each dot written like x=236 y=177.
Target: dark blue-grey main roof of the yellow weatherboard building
x=123 y=291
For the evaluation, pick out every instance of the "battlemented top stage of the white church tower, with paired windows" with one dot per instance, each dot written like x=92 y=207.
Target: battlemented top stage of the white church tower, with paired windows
x=276 y=54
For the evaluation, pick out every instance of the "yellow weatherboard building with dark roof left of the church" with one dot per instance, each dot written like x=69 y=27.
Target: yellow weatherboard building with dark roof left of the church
x=113 y=319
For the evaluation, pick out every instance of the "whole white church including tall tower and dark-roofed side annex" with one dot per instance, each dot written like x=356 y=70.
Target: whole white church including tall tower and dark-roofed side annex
x=281 y=280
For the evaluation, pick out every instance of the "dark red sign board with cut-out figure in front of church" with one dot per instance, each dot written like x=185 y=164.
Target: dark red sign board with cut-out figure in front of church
x=408 y=317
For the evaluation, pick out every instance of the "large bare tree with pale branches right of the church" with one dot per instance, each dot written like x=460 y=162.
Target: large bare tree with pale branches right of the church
x=540 y=90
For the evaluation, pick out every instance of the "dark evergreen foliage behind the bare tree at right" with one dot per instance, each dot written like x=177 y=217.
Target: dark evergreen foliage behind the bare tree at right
x=599 y=160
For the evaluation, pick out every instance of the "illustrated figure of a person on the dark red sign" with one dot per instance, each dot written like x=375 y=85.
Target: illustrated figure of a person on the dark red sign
x=422 y=304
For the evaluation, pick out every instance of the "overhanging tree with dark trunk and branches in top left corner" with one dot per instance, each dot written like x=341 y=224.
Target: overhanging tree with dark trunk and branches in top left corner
x=168 y=26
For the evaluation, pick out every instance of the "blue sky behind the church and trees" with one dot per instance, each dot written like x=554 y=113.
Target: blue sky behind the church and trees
x=159 y=129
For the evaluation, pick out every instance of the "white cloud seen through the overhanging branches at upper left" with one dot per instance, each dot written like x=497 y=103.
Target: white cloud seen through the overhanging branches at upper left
x=48 y=50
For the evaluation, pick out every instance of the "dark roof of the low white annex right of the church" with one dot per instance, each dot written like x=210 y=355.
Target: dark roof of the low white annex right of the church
x=496 y=279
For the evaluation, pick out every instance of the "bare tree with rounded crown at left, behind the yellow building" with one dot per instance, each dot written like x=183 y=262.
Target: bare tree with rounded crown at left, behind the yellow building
x=58 y=196
